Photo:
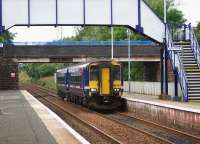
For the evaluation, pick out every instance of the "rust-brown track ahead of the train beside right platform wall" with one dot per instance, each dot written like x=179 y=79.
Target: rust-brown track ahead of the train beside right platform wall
x=166 y=134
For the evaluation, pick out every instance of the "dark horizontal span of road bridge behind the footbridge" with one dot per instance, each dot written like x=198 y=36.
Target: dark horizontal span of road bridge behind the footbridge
x=79 y=51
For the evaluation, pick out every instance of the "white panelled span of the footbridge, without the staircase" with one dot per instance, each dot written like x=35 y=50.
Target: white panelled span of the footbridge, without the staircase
x=132 y=13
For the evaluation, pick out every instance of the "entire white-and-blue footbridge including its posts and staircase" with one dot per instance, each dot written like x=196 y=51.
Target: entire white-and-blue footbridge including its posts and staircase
x=134 y=14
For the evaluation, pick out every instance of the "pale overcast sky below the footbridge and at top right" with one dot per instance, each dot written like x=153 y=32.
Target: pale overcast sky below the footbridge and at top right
x=190 y=9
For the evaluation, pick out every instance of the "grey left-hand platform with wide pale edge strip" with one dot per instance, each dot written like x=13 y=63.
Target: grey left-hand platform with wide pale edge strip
x=24 y=120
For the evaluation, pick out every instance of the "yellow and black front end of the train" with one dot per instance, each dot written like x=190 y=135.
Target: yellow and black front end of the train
x=105 y=84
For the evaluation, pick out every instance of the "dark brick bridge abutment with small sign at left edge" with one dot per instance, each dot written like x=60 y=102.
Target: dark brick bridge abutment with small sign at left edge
x=8 y=74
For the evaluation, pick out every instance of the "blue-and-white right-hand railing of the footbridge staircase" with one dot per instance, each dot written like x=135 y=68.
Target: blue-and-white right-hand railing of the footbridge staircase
x=195 y=45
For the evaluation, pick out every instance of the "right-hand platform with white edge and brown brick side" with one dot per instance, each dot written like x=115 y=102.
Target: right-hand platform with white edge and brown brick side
x=183 y=115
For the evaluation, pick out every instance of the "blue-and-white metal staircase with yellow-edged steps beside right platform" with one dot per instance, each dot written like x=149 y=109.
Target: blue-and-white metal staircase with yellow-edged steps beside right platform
x=184 y=53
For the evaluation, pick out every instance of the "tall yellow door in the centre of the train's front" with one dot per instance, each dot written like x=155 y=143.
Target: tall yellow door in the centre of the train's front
x=105 y=81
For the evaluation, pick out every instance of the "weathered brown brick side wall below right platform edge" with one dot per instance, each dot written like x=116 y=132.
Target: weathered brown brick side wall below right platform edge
x=172 y=117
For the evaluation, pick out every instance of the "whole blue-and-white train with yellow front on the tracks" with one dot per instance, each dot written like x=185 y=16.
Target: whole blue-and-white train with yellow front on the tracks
x=96 y=85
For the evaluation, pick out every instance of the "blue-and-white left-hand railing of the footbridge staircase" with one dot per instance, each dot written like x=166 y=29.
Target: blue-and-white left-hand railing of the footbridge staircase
x=176 y=63
